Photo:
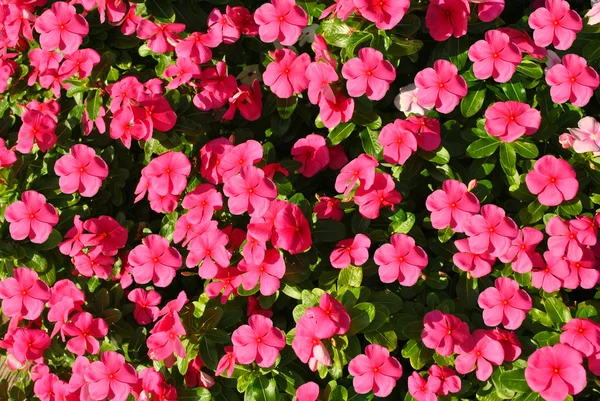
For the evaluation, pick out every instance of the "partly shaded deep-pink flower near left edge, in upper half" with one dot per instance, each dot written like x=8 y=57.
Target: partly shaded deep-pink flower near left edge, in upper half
x=39 y=127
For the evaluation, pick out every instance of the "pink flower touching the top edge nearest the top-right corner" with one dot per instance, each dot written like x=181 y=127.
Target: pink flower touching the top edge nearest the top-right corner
x=555 y=24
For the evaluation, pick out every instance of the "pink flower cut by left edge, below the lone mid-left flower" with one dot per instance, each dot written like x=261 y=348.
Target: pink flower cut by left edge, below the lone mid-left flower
x=23 y=295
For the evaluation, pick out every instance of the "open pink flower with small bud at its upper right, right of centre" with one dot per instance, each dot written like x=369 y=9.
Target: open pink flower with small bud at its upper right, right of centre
x=452 y=206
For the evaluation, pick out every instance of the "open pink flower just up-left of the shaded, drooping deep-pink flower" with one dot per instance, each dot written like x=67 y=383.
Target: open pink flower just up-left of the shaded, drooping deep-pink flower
x=249 y=192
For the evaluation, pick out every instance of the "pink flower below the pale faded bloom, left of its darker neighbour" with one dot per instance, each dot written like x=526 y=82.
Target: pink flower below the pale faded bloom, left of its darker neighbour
x=398 y=141
